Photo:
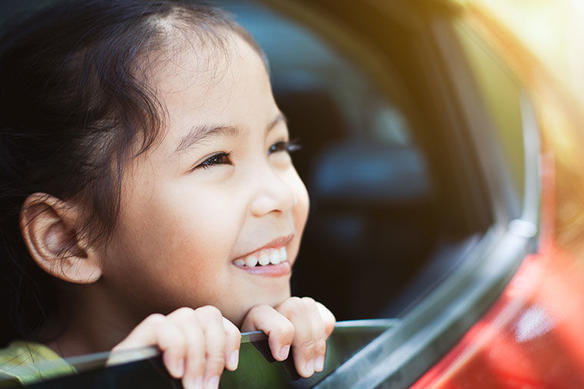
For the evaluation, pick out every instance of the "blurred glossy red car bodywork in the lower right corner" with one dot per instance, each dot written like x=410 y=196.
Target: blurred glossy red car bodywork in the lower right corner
x=532 y=337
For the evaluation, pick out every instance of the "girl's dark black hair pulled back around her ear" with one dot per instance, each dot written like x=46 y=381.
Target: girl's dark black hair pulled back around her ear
x=73 y=107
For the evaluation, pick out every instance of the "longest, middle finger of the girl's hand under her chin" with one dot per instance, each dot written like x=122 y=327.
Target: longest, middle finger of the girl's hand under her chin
x=309 y=345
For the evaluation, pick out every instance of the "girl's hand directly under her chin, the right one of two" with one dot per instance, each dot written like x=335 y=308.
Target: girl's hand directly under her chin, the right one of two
x=301 y=323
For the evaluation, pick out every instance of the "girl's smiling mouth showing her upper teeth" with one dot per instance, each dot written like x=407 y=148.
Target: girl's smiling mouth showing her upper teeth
x=269 y=260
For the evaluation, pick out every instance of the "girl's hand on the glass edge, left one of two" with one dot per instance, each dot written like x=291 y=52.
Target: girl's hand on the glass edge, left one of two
x=196 y=344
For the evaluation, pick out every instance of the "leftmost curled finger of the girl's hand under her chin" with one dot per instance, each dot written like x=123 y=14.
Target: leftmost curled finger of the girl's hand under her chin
x=279 y=329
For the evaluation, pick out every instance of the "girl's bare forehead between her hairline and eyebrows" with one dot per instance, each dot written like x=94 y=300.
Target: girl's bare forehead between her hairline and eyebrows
x=209 y=83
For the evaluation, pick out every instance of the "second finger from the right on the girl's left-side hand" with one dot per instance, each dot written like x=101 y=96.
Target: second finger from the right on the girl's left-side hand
x=211 y=321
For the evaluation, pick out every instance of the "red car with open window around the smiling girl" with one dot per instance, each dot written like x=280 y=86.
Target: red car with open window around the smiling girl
x=444 y=169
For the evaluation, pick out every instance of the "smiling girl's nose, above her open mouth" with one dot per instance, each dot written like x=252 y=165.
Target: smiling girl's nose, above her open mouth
x=271 y=192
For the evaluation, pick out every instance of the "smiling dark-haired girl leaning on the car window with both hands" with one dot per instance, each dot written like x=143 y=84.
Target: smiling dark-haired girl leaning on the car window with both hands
x=148 y=196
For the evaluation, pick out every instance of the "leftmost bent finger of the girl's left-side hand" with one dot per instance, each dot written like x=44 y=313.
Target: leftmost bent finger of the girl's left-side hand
x=157 y=330
